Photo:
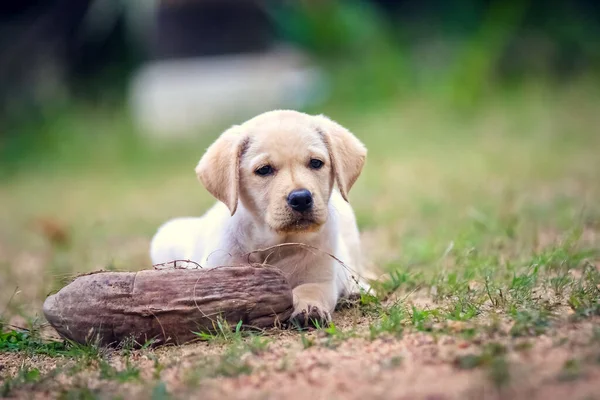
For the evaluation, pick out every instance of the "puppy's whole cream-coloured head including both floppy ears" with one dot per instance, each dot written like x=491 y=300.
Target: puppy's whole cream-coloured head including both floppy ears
x=282 y=166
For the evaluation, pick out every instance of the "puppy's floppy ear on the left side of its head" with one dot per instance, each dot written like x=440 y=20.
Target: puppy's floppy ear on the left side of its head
x=219 y=167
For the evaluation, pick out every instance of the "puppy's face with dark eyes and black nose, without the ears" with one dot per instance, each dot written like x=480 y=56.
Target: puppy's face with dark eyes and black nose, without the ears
x=285 y=174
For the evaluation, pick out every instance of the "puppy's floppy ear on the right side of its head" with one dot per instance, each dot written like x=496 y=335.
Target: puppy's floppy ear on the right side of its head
x=347 y=153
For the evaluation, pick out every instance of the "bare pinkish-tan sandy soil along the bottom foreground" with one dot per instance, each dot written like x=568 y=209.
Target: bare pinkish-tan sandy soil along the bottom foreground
x=415 y=366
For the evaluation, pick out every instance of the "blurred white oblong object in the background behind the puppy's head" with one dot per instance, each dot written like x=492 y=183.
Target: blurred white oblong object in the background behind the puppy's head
x=175 y=97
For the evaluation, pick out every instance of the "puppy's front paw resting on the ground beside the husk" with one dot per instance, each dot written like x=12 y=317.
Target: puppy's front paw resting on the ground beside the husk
x=313 y=303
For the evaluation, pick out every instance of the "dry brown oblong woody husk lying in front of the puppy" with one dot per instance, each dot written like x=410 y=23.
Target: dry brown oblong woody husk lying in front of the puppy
x=167 y=305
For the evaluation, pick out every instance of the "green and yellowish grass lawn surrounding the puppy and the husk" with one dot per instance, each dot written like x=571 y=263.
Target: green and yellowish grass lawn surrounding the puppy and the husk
x=486 y=225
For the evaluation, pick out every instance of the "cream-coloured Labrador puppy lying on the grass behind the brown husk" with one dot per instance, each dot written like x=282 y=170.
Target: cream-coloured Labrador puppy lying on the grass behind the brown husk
x=274 y=176
